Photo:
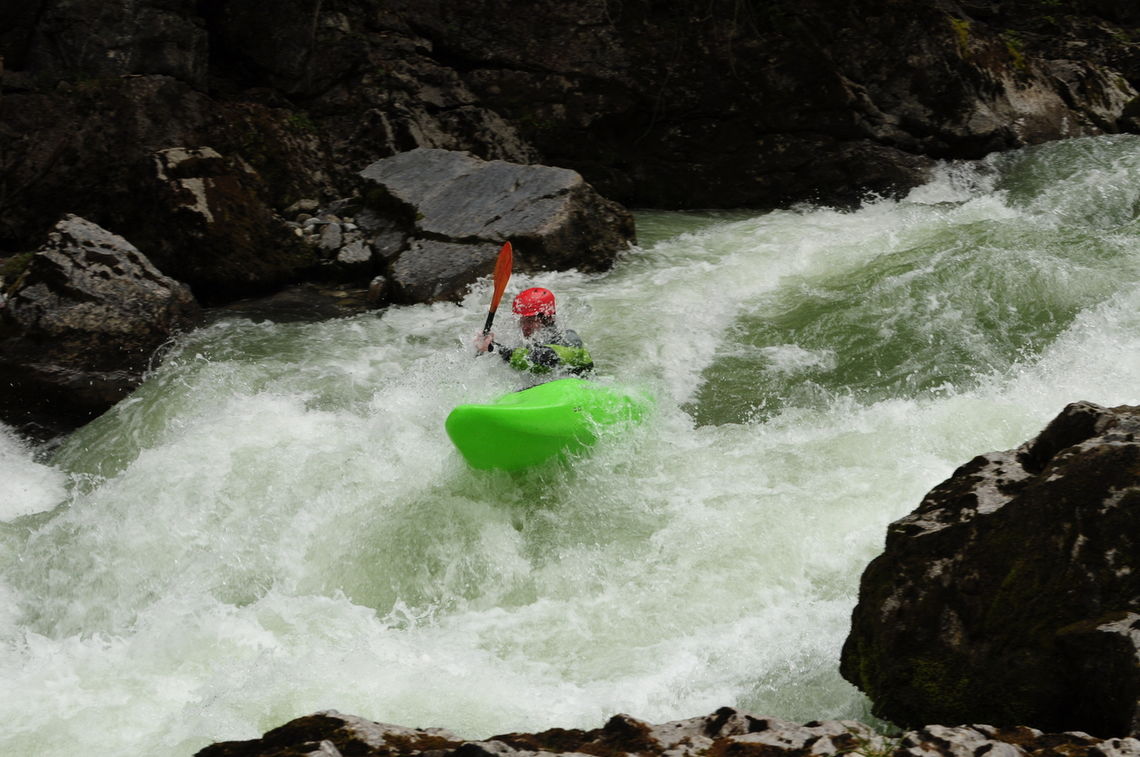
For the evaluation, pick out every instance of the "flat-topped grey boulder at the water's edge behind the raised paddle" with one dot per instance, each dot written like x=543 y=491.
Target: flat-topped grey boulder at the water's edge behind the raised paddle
x=458 y=210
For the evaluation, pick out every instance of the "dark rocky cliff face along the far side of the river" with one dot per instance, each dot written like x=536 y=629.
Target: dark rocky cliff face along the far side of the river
x=729 y=103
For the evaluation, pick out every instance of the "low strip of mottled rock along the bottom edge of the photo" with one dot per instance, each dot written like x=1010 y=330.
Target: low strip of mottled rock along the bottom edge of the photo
x=727 y=734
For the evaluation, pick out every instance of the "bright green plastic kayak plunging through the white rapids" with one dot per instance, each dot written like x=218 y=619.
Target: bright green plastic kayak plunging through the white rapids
x=533 y=426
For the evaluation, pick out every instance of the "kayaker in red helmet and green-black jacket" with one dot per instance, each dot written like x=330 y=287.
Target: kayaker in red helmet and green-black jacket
x=545 y=348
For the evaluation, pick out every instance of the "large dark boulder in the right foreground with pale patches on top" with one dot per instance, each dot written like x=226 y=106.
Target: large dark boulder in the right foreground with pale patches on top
x=1012 y=596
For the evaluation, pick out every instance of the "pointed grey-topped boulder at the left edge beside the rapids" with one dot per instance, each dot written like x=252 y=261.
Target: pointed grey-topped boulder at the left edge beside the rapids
x=82 y=327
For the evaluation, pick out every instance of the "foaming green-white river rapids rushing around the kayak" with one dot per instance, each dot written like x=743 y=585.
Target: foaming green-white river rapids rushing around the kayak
x=276 y=524
